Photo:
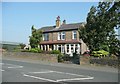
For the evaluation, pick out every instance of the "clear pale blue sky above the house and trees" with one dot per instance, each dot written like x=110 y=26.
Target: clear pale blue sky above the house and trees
x=18 y=17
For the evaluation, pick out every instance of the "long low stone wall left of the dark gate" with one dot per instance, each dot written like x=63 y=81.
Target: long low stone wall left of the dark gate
x=31 y=56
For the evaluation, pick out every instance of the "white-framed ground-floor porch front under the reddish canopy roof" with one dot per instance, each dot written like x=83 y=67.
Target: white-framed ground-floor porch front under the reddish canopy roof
x=63 y=48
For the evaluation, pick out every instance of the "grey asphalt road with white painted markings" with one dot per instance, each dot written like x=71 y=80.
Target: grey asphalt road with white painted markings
x=17 y=71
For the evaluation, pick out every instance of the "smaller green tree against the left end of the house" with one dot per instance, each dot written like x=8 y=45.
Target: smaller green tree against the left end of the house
x=35 y=38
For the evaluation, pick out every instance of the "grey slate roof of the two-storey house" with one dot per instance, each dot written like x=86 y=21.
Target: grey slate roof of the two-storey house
x=73 y=26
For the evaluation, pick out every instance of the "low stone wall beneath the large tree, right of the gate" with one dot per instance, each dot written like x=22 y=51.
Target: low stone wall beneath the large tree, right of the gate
x=113 y=62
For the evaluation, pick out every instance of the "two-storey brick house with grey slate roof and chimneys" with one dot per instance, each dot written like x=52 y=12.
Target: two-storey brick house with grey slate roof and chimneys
x=63 y=37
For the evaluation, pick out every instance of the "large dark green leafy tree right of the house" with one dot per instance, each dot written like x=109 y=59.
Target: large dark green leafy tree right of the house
x=99 y=33
